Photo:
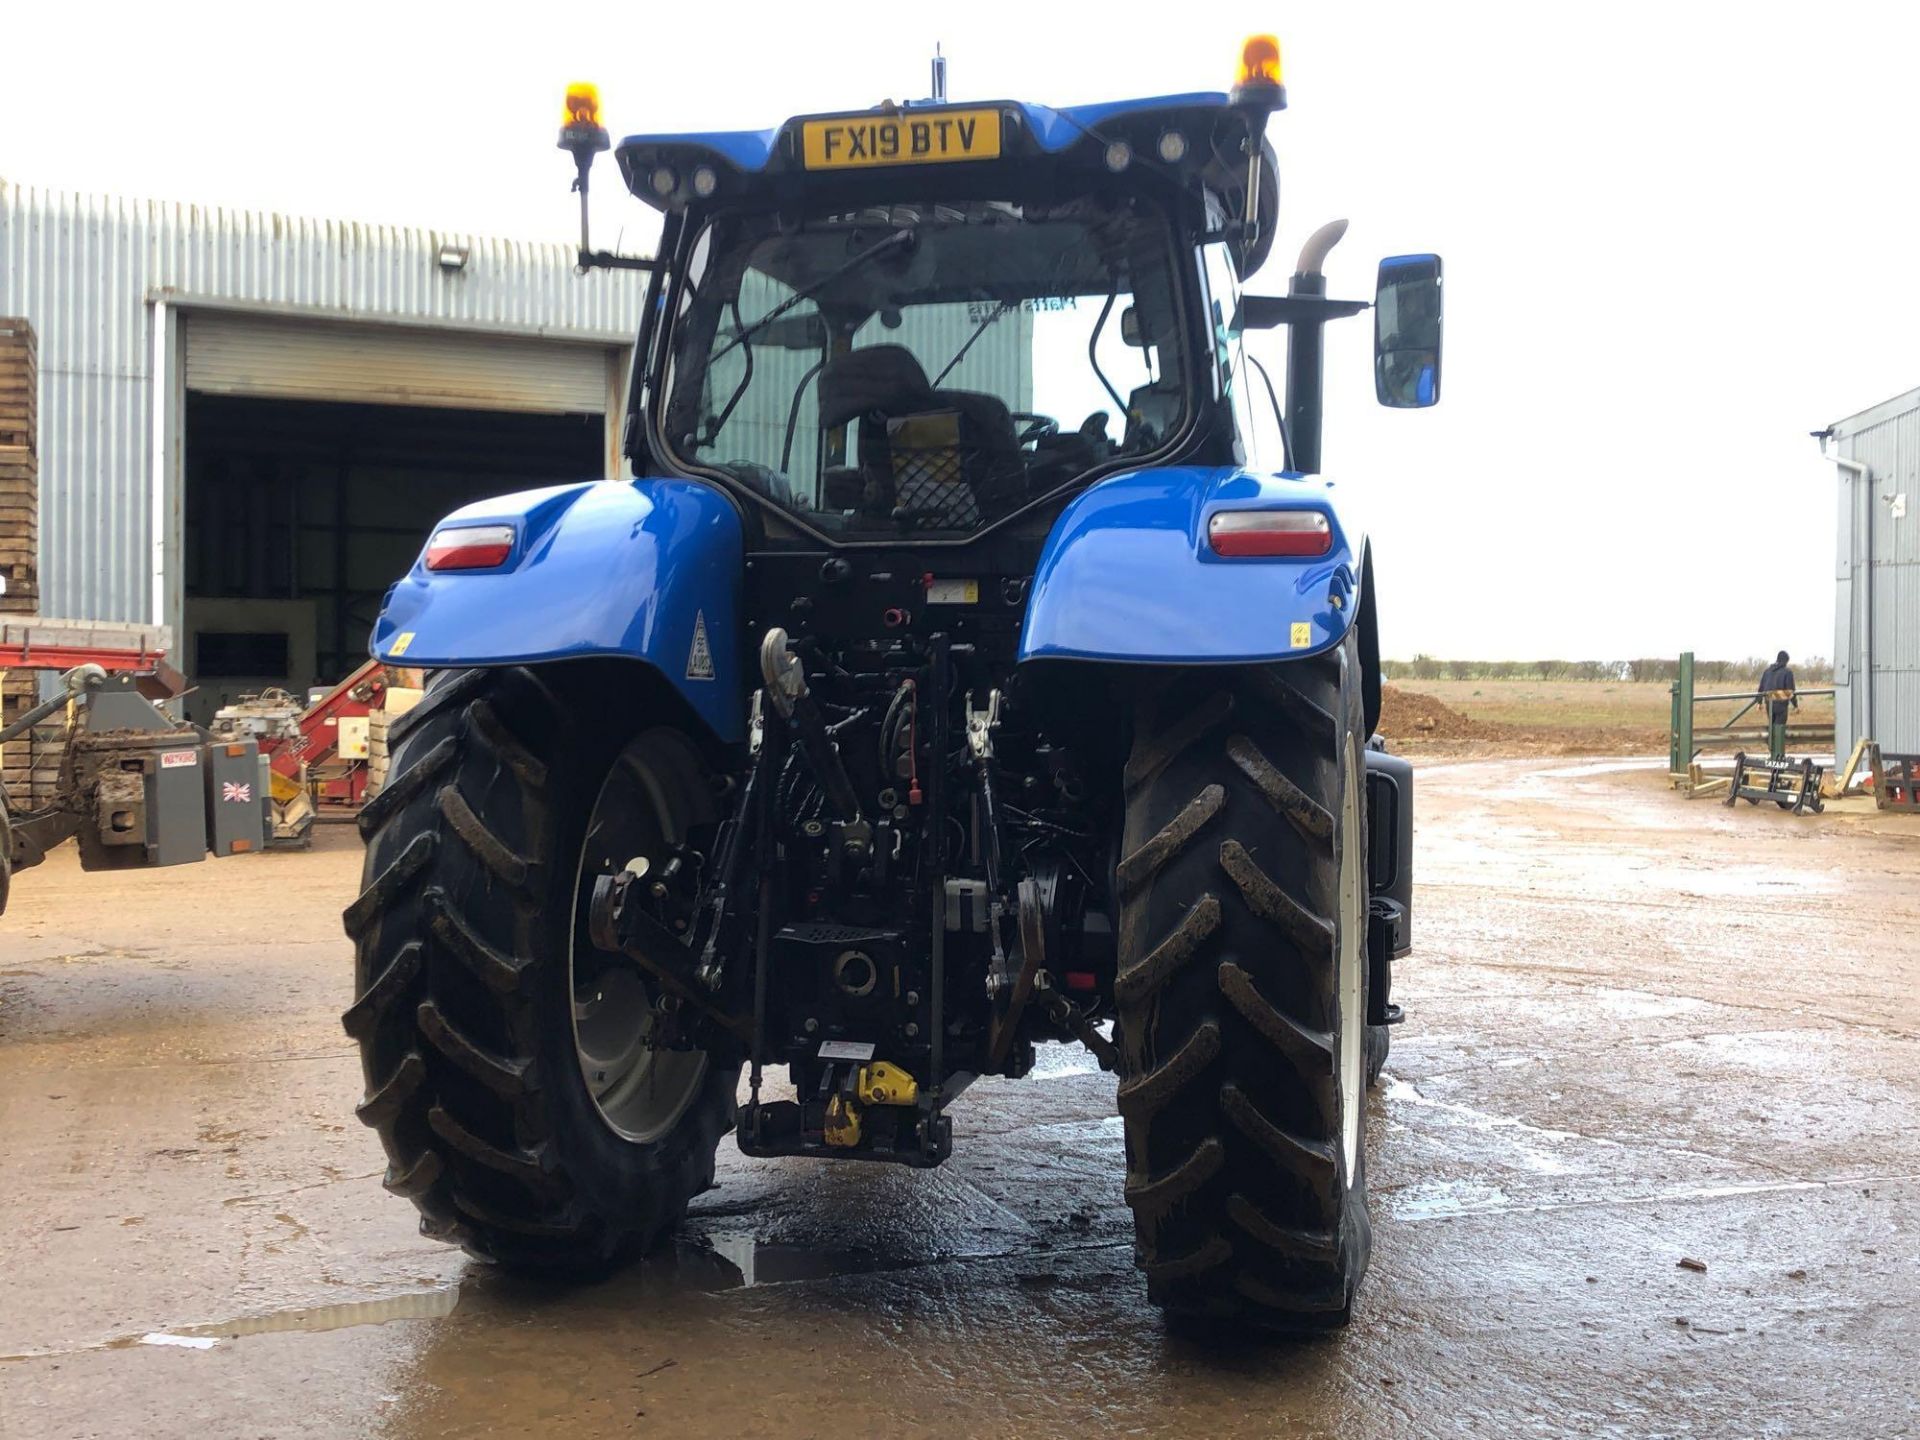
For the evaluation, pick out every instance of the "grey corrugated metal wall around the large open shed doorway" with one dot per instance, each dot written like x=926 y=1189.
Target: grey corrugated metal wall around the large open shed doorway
x=85 y=270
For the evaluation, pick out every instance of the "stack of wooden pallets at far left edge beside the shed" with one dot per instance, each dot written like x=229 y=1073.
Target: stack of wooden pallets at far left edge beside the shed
x=20 y=529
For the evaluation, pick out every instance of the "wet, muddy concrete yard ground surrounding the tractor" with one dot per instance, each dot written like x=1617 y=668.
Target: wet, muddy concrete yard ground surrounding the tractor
x=1643 y=1032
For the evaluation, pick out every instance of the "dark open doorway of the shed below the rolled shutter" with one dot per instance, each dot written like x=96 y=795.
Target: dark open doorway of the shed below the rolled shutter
x=299 y=516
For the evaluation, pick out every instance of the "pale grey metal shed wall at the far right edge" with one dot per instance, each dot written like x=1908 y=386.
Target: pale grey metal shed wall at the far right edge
x=1877 y=613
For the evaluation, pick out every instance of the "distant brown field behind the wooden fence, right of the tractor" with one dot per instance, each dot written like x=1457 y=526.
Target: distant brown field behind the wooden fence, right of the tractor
x=1554 y=717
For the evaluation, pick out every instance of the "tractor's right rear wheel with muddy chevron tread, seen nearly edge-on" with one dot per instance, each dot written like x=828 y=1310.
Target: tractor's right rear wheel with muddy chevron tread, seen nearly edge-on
x=1243 y=994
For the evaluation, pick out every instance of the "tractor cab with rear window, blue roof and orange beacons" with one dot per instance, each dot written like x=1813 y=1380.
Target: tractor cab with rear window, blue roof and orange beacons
x=930 y=320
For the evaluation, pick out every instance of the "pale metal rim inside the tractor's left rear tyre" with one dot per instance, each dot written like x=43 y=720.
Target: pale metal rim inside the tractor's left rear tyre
x=640 y=1092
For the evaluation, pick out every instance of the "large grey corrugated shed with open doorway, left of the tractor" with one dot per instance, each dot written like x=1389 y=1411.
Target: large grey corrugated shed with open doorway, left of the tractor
x=249 y=421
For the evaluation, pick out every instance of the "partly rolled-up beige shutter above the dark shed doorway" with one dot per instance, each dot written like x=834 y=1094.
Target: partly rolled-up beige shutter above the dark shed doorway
x=391 y=366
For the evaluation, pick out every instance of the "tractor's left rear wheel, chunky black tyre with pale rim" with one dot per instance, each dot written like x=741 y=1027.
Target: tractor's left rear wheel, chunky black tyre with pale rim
x=508 y=1065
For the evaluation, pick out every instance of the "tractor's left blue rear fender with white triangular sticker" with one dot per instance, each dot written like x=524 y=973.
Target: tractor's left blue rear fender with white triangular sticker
x=644 y=569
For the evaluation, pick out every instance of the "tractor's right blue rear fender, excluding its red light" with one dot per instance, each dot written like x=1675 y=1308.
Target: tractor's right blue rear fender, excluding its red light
x=1128 y=575
